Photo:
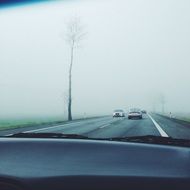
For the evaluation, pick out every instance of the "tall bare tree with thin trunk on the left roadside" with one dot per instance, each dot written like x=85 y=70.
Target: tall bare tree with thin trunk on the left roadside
x=75 y=33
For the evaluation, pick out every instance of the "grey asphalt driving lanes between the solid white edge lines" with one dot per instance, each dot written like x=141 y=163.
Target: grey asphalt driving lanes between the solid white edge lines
x=107 y=127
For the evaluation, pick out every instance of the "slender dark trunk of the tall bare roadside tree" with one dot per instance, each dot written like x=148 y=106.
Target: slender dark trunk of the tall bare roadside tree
x=70 y=86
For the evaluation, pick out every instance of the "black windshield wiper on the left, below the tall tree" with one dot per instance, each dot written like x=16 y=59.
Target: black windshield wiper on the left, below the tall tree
x=48 y=135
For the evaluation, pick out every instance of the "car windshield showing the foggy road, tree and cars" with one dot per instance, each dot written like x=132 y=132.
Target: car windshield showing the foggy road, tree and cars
x=66 y=65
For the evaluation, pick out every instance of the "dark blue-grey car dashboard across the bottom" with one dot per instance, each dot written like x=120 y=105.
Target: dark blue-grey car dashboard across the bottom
x=66 y=164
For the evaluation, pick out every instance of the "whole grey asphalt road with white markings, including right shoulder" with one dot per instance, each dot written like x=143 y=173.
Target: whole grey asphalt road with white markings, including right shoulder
x=106 y=127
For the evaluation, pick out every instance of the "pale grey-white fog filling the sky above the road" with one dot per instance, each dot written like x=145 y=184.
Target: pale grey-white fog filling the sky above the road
x=134 y=52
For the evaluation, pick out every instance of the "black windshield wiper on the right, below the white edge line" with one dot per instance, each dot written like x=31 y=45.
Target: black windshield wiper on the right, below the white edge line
x=151 y=139
